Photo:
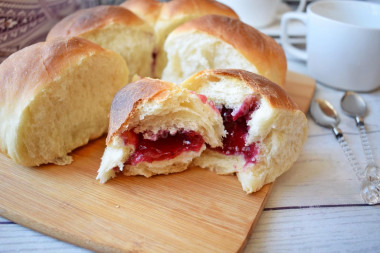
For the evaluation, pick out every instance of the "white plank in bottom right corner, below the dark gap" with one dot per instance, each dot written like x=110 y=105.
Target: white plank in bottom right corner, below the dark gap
x=339 y=229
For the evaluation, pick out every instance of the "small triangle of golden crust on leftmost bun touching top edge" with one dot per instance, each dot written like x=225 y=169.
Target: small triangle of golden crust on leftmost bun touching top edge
x=148 y=10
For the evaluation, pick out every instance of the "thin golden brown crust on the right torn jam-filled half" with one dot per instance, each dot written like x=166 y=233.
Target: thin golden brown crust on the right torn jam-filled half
x=273 y=93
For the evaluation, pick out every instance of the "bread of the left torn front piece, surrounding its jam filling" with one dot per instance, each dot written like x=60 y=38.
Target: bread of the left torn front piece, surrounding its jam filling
x=156 y=106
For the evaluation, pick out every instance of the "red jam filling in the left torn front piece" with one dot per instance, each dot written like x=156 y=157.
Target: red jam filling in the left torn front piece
x=162 y=146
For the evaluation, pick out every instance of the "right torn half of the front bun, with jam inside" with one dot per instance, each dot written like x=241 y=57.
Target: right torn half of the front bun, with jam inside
x=265 y=129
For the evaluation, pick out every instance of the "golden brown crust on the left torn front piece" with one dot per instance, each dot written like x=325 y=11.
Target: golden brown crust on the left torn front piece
x=128 y=98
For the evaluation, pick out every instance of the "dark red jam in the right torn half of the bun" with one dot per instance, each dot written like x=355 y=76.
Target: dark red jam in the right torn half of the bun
x=235 y=123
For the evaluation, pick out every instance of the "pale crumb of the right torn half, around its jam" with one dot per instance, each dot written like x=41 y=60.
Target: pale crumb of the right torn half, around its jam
x=279 y=132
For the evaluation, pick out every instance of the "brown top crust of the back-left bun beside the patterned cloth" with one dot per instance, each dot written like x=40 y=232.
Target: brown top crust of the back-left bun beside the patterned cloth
x=90 y=19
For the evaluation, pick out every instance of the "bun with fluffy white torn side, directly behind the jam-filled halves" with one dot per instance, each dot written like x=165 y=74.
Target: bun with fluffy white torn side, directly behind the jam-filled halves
x=214 y=42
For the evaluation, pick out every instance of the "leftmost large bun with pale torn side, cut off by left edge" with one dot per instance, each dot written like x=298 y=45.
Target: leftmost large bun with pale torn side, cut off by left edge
x=54 y=97
